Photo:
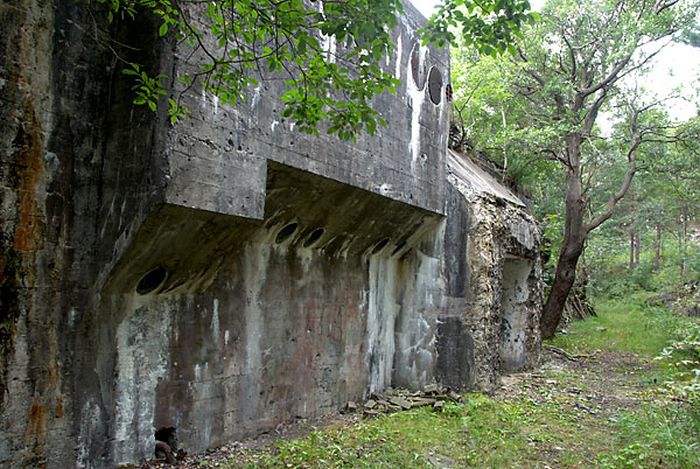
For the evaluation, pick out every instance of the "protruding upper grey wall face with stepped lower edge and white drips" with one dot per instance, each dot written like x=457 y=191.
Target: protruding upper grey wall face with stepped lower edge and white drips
x=218 y=157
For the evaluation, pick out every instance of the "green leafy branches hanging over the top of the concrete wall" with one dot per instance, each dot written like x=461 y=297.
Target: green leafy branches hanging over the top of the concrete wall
x=328 y=54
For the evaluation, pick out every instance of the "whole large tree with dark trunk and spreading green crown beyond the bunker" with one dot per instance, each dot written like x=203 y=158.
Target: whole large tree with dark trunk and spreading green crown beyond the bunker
x=566 y=116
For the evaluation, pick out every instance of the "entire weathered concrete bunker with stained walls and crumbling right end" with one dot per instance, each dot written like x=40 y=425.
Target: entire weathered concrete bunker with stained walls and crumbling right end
x=227 y=274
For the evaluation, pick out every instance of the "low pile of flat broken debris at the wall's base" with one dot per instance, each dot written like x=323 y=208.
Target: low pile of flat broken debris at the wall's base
x=396 y=400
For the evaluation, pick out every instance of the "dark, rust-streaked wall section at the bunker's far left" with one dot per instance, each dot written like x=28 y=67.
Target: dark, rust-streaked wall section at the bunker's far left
x=75 y=173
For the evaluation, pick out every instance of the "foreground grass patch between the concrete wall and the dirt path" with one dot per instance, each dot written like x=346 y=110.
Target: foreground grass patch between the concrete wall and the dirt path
x=483 y=432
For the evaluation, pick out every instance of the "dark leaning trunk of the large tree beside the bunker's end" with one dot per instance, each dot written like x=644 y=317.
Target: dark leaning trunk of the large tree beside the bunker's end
x=572 y=244
